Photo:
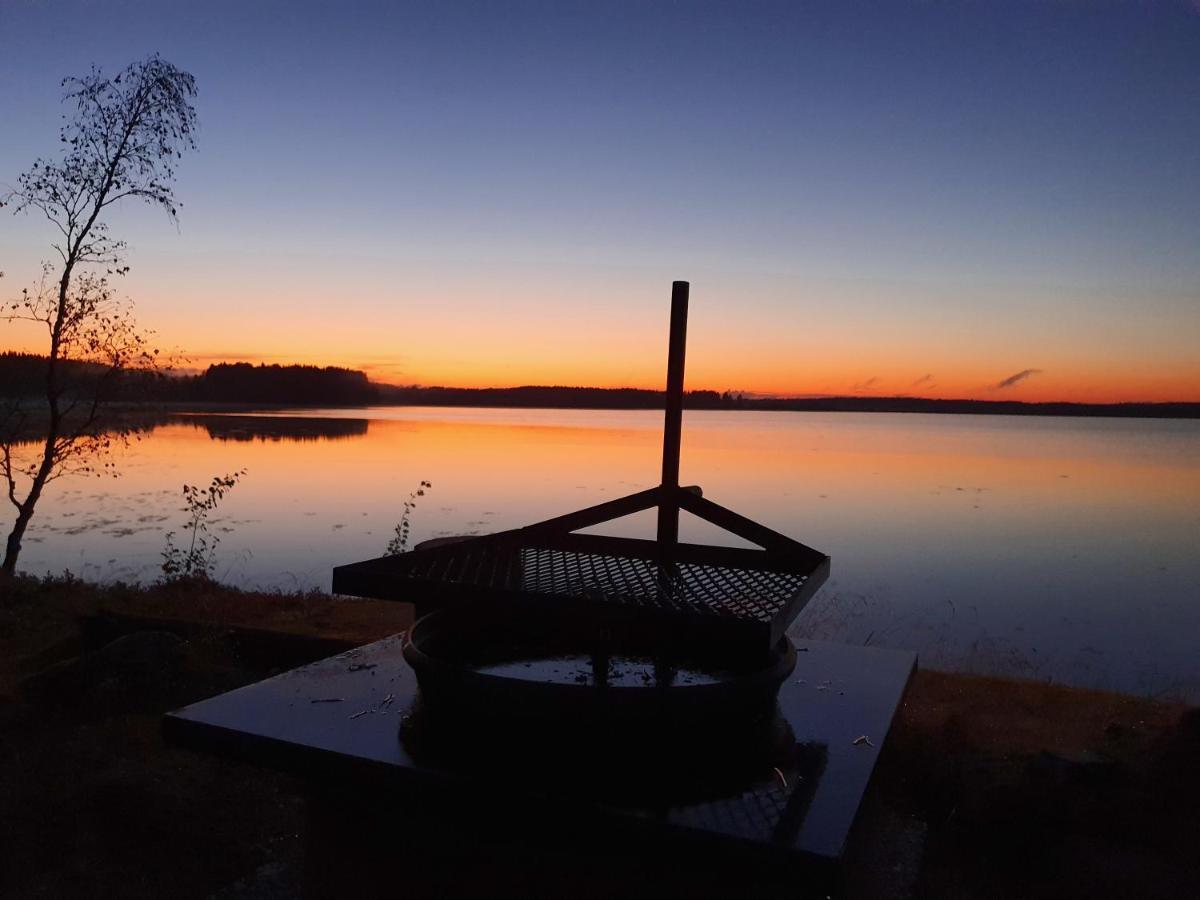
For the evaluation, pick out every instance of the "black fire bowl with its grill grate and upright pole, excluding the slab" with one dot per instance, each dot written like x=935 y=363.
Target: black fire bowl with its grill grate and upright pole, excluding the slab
x=604 y=638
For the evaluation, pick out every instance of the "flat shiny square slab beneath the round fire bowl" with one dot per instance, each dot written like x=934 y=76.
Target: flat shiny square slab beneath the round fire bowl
x=339 y=722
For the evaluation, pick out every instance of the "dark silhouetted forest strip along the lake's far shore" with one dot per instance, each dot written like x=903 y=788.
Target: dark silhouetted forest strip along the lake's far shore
x=247 y=385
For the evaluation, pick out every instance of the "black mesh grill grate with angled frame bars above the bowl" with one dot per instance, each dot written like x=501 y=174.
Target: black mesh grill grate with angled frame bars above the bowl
x=687 y=591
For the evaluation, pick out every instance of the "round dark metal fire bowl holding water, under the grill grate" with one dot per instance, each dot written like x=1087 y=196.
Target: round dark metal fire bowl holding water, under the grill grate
x=523 y=692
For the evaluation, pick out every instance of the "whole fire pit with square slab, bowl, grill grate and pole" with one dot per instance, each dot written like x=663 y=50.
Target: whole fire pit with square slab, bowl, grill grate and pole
x=621 y=697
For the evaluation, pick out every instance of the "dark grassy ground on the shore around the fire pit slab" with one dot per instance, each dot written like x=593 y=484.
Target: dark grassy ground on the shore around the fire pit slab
x=988 y=789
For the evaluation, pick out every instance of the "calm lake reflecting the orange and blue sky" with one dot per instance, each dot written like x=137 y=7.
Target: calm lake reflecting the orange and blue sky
x=1054 y=549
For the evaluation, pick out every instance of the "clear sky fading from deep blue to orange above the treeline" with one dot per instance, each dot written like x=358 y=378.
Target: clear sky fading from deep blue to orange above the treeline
x=925 y=199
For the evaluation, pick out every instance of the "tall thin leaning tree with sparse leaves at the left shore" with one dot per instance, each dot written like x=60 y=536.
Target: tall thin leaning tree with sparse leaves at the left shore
x=121 y=143
